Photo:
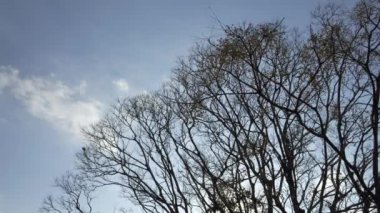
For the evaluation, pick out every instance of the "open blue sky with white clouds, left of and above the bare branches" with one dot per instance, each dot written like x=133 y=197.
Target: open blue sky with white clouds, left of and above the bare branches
x=62 y=63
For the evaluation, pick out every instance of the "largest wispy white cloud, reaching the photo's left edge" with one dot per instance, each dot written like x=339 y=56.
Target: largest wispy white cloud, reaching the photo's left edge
x=52 y=100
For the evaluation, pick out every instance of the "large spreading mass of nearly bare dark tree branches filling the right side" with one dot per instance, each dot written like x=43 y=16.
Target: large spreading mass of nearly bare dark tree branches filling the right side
x=261 y=120
